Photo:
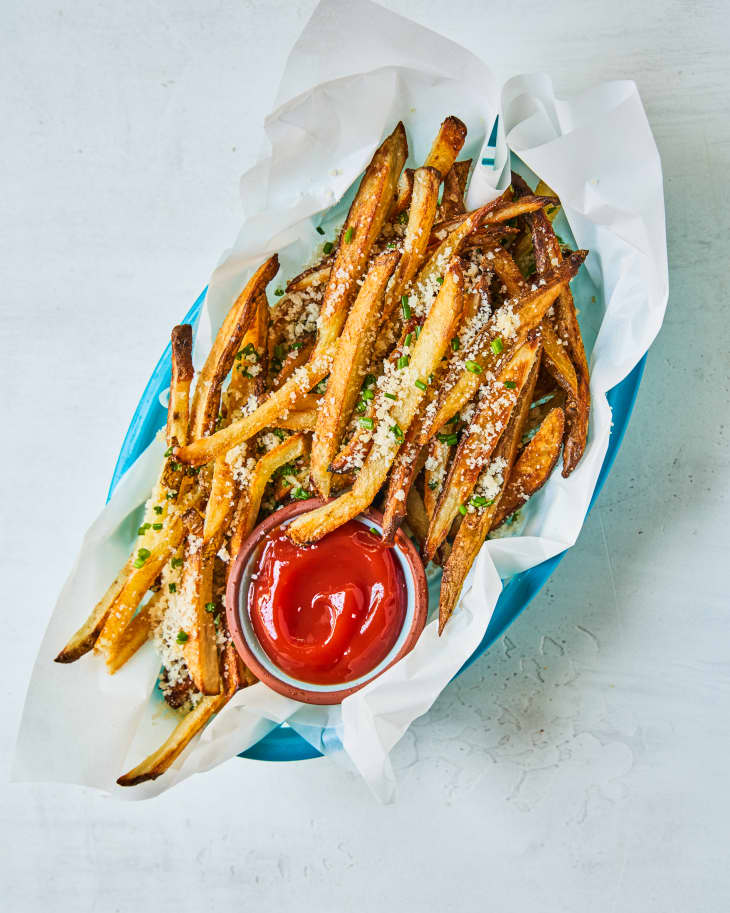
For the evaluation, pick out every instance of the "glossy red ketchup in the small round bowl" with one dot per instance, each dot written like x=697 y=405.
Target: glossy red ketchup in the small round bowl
x=330 y=612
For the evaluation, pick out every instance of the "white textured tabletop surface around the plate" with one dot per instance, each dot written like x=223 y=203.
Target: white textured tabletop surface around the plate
x=582 y=762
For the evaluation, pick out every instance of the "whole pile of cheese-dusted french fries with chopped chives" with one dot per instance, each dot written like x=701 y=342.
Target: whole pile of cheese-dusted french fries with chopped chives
x=429 y=362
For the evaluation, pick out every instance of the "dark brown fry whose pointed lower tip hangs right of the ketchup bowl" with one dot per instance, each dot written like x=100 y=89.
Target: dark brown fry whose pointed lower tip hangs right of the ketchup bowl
x=476 y=524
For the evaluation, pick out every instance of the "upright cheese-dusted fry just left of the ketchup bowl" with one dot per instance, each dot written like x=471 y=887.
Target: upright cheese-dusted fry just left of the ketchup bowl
x=196 y=590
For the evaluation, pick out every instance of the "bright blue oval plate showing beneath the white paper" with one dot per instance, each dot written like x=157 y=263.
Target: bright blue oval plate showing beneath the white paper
x=283 y=744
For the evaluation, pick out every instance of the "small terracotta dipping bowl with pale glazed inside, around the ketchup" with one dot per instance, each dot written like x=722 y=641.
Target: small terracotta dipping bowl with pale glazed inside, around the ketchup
x=247 y=643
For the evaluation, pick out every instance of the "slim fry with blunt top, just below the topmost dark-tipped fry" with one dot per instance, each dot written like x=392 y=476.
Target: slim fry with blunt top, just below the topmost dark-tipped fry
x=426 y=183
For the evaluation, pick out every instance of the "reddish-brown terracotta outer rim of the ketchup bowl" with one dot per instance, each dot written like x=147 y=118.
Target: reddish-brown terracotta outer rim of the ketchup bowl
x=233 y=591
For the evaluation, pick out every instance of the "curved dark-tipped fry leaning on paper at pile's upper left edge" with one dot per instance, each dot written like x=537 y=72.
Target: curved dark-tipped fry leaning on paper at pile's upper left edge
x=206 y=398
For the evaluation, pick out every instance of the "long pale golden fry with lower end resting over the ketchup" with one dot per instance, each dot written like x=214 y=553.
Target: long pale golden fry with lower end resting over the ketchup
x=429 y=347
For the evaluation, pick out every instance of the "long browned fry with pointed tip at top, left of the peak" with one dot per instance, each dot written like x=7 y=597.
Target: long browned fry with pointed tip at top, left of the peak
x=362 y=226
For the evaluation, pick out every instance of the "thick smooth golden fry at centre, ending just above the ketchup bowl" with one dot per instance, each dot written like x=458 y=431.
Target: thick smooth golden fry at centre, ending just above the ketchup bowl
x=348 y=368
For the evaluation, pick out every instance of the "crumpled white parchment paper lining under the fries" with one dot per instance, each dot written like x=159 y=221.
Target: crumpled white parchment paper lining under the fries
x=355 y=71
